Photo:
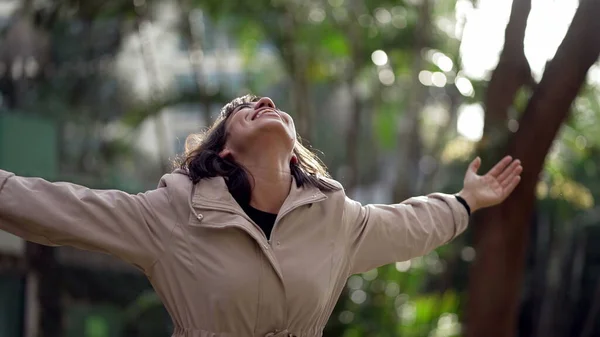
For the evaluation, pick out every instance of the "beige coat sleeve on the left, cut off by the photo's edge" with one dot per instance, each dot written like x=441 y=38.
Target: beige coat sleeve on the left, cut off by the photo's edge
x=130 y=227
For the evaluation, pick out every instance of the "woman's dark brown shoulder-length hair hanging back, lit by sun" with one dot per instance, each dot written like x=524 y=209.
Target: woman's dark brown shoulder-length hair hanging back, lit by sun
x=201 y=158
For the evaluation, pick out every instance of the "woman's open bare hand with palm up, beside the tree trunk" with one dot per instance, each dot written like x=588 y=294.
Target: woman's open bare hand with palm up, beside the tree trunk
x=493 y=187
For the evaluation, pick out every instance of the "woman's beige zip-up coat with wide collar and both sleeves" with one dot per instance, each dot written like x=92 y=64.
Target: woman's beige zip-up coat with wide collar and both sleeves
x=213 y=268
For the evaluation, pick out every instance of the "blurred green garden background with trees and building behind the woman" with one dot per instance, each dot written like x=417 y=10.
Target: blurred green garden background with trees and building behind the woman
x=399 y=95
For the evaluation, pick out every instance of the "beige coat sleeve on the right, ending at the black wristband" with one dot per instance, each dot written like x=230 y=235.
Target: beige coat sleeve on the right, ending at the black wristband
x=383 y=234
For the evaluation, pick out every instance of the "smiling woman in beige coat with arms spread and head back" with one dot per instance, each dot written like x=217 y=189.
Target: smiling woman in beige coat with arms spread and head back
x=248 y=237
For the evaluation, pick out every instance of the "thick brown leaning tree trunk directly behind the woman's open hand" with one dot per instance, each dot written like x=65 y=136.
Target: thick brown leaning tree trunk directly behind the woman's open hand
x=501 y=233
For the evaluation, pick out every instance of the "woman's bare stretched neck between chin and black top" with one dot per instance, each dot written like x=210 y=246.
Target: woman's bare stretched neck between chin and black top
x=270 y=178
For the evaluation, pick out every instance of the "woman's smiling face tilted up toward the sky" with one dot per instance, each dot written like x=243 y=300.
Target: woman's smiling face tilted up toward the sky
x=257 y=124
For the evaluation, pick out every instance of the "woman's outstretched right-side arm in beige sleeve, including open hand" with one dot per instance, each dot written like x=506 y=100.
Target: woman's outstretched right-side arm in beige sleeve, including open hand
x=382 y=234
